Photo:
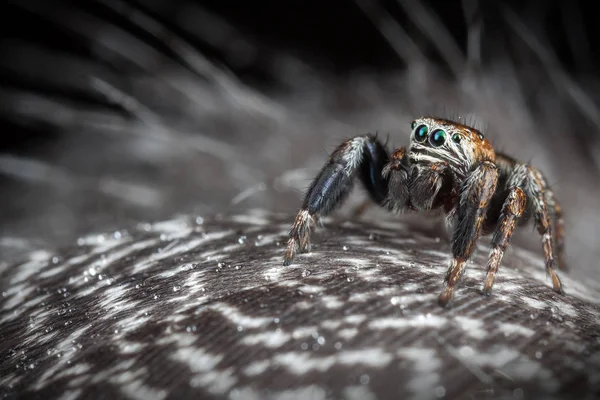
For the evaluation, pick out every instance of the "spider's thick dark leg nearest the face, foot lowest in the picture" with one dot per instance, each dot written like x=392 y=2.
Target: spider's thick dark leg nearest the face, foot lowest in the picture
x=475 y=196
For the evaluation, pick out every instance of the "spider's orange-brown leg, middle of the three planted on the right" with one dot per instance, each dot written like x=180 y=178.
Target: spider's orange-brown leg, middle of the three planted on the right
x=512 y=210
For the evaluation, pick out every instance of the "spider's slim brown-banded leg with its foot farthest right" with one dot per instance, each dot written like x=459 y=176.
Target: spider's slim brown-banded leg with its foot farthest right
x=536 y=189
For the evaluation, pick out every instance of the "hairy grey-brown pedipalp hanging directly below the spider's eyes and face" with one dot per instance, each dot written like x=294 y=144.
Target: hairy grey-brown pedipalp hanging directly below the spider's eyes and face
x=425 y=184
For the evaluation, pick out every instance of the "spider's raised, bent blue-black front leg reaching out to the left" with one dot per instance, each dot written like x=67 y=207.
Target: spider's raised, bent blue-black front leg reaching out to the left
x=363 y=156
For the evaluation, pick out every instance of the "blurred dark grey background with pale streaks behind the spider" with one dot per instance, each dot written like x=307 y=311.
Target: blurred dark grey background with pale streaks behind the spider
x=117 y=112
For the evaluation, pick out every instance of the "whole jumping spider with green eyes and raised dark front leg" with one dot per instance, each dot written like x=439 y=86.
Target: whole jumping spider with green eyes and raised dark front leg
x=448 y=166
